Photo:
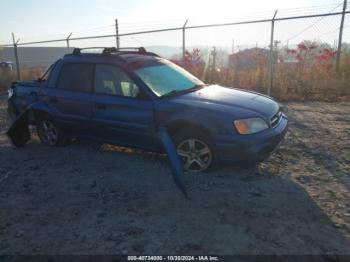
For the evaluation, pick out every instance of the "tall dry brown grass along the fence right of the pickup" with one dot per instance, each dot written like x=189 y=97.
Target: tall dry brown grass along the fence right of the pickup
x=312 y=80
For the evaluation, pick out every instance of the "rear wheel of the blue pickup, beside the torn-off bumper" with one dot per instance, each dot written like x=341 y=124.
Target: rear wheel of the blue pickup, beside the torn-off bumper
x=49 y=133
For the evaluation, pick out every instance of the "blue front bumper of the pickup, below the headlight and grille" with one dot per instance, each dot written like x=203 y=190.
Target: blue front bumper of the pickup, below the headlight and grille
x=251 y=148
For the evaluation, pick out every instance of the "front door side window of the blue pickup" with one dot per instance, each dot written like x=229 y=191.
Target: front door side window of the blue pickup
x=111 y=80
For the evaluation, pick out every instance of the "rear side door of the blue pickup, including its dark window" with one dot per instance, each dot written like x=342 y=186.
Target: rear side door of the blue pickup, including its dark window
x=70 y=99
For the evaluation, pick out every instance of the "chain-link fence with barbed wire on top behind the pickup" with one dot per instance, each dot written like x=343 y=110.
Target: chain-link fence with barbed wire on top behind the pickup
x=289 y=54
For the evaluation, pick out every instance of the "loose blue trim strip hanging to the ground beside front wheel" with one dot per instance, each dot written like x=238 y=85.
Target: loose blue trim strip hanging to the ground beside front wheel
x=175 y=162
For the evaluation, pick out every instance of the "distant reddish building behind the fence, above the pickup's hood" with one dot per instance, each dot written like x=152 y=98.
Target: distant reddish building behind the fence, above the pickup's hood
x=249 y=58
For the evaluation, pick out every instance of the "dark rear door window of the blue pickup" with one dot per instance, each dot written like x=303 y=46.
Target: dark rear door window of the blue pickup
x=76 y=77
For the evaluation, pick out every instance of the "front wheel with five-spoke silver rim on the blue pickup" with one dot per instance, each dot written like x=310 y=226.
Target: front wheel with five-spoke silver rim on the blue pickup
x=195 y=150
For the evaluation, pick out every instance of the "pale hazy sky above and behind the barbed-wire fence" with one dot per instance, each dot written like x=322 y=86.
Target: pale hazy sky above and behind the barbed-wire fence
x=33 y=20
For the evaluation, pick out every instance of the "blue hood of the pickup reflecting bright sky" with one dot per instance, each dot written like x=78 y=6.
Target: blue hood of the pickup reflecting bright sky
x=231 y=98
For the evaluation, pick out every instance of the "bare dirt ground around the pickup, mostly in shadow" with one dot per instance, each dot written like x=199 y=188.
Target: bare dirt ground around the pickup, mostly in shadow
x=88 y=198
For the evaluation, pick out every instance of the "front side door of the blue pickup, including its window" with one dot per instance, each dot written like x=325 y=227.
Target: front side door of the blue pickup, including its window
x=120 y=112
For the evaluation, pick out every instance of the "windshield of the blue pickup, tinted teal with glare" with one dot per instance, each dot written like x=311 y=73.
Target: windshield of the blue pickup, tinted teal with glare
x=164 y=77
